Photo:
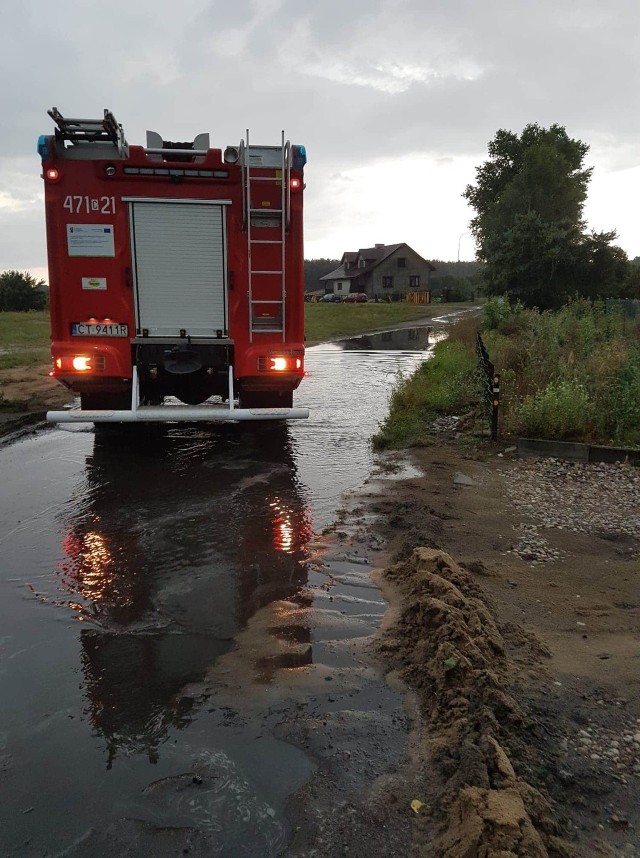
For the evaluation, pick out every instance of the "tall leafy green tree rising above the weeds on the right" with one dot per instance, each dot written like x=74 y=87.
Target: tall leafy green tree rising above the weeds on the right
x=529 y=228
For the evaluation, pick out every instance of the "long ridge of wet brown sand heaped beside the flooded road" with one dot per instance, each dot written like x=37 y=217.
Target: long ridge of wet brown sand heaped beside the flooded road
x=449 y=649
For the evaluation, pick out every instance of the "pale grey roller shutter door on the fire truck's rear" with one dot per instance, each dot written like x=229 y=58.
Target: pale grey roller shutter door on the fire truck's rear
x=179 y=265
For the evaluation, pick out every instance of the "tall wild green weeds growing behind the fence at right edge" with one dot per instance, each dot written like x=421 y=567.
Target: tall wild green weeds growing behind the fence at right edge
x=573 y=374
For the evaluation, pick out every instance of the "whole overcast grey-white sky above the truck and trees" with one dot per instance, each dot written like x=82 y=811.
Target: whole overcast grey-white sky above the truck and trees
x=395 y=100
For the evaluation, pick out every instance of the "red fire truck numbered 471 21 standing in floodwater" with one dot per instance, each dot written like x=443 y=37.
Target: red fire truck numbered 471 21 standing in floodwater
x=175 y=274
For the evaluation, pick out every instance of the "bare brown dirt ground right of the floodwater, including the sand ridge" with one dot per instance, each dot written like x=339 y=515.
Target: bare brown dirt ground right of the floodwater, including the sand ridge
x=527 y=673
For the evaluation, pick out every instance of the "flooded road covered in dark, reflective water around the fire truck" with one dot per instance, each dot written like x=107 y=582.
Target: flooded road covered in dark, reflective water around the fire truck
x=178 y=655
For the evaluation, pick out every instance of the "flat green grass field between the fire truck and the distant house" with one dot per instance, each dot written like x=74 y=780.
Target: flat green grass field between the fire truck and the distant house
x=330 y=321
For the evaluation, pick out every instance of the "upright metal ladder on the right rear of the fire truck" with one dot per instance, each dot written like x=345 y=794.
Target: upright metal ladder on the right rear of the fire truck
x=266 y=167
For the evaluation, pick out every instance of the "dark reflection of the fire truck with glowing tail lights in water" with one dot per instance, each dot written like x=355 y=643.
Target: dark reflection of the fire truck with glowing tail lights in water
x=150 y=635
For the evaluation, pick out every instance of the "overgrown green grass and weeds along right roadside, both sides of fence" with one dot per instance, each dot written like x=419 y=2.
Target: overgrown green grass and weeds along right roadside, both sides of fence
x=573 y=374
